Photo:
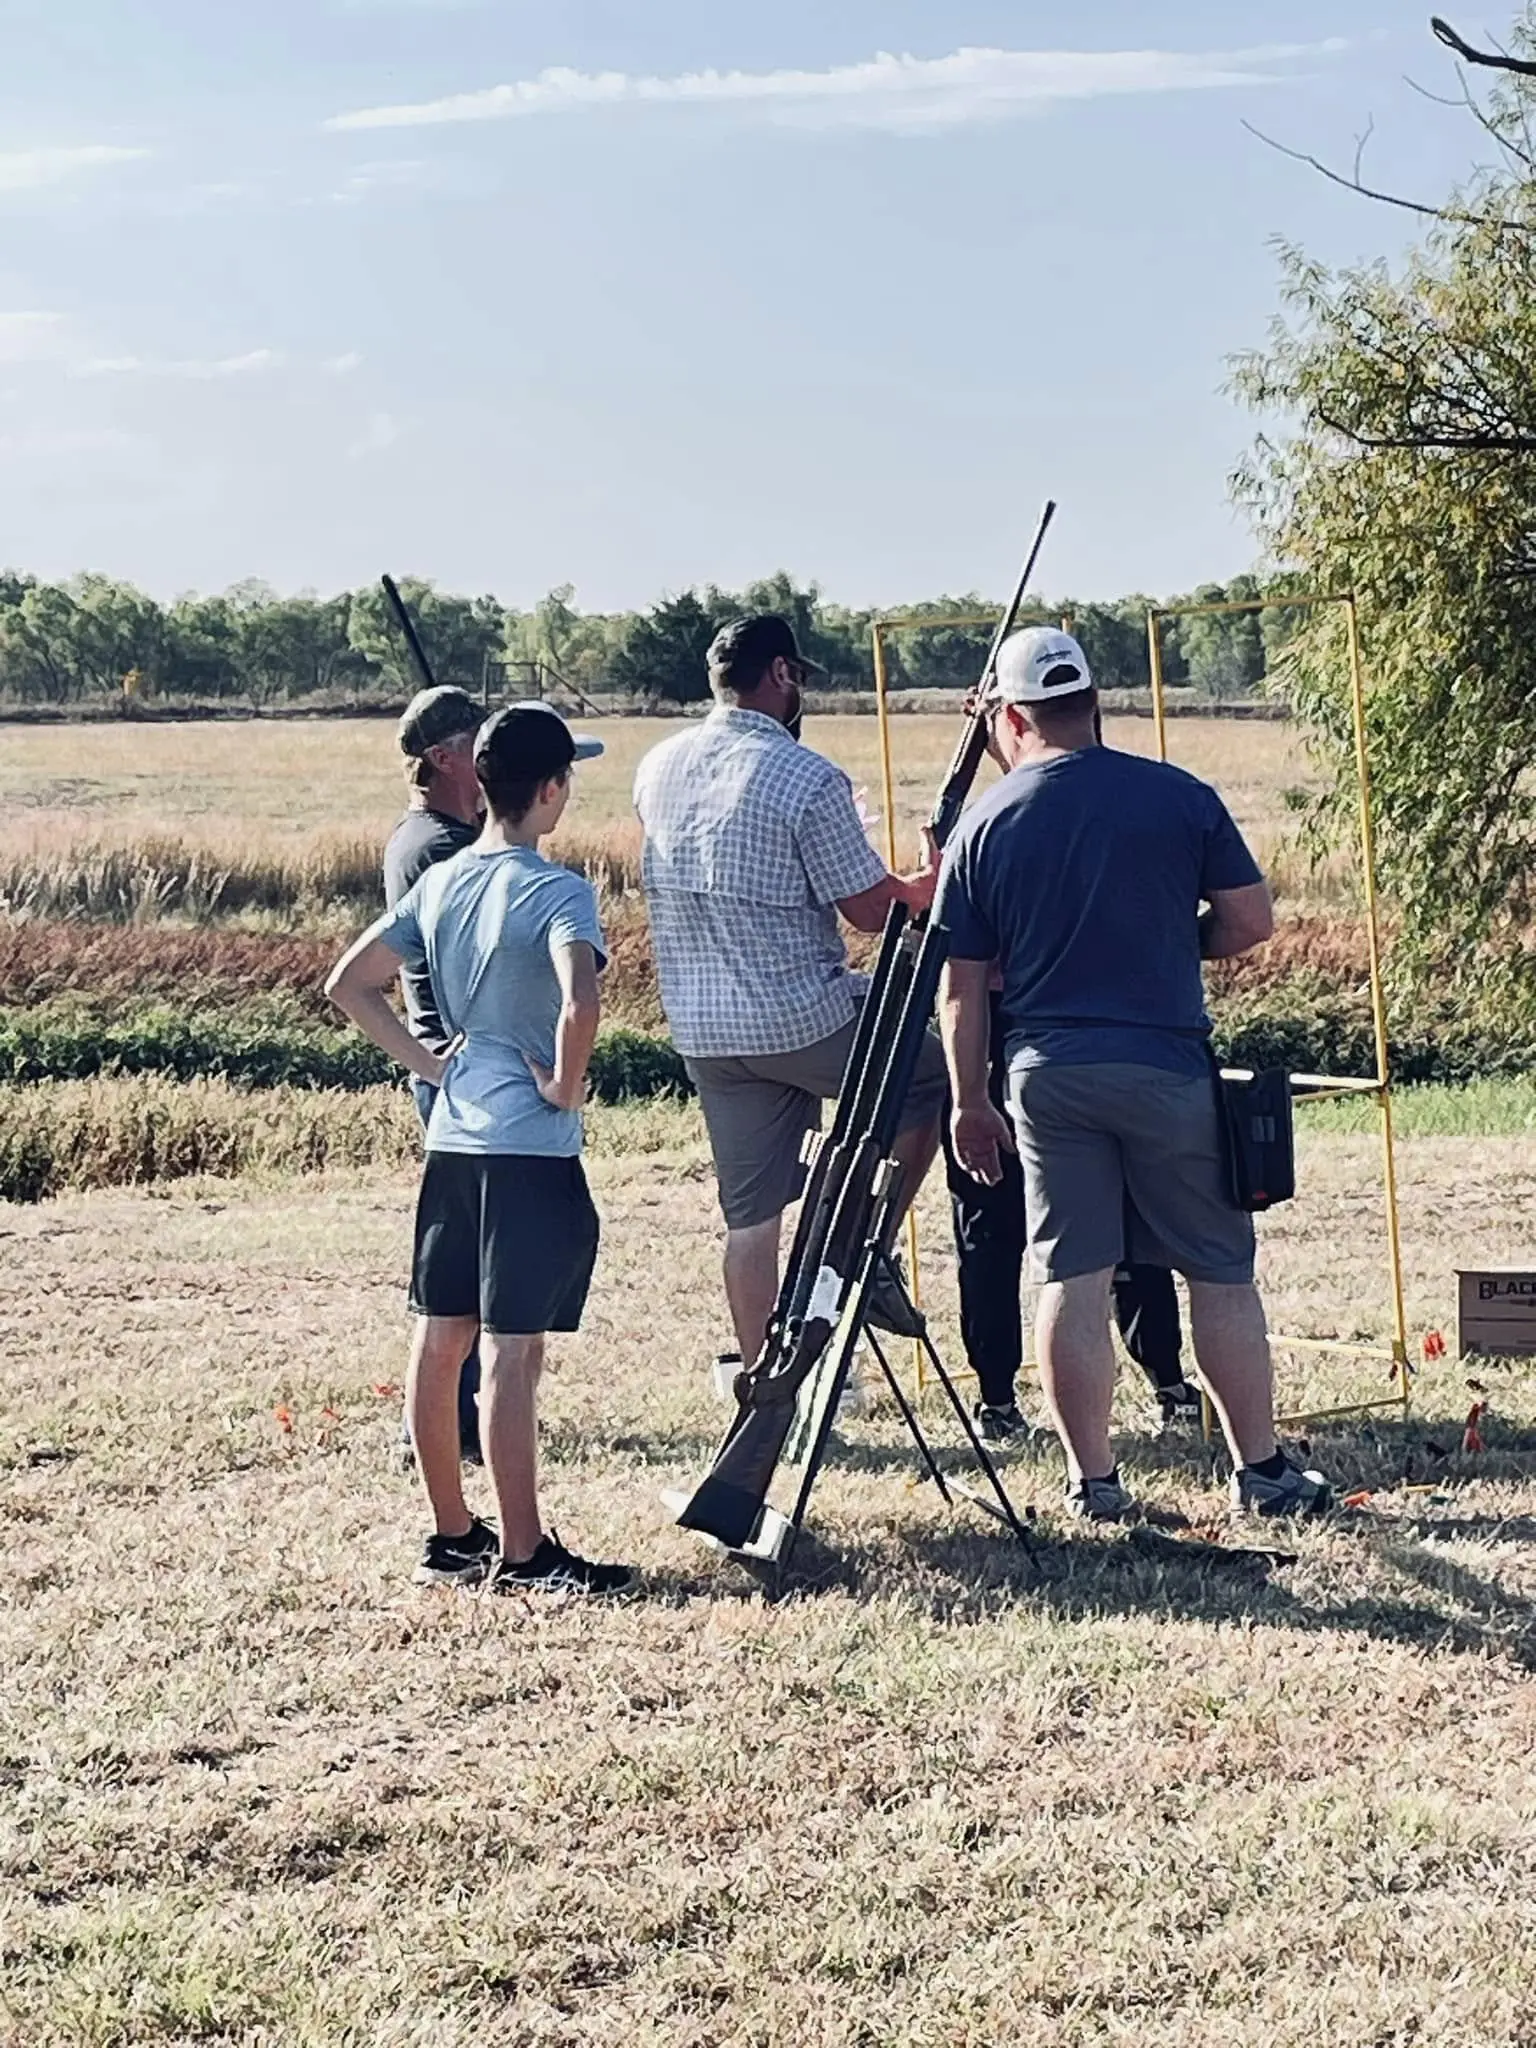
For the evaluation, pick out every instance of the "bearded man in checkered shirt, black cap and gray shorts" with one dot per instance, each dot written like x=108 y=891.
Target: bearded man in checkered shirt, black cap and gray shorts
x=753 y=851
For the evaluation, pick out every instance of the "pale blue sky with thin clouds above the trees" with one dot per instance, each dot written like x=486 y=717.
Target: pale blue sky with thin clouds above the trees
x=536 y=292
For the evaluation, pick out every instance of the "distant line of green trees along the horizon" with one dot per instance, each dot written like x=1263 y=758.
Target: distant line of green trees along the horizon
x=95 y=640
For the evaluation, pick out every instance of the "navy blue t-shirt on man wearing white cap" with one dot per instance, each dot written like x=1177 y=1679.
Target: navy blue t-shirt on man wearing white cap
x=1084 y=880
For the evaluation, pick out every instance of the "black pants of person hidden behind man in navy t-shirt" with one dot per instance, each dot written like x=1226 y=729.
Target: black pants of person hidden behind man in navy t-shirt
x=990 y=1240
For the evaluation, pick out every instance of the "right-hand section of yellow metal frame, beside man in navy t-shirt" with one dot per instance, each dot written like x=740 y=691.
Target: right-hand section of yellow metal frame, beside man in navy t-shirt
x=1322 y=1086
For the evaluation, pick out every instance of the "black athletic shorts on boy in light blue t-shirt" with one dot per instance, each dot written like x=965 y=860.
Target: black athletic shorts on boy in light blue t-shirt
x=507 y=1238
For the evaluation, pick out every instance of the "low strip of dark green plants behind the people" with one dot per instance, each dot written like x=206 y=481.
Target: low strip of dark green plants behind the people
x=273 y=1046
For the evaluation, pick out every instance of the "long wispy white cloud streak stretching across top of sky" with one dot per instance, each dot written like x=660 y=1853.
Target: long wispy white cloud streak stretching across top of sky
x=892 y=93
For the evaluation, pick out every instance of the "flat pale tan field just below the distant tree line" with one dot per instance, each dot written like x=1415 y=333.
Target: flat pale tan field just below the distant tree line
x=321 y=787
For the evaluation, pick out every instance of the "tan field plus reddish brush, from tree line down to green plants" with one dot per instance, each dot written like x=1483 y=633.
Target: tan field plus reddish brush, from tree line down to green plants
x=202 y=833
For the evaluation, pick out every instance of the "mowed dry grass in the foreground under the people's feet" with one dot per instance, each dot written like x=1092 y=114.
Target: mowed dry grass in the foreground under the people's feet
x=1136 y=1787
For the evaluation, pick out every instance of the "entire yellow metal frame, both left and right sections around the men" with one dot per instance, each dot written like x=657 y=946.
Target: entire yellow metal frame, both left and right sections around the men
x=1310 y=1086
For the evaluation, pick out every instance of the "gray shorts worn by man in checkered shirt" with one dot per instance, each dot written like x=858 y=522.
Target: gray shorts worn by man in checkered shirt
x=757 y=1113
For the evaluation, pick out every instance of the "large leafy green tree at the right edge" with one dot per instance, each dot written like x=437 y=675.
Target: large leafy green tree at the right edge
x=1406 y=472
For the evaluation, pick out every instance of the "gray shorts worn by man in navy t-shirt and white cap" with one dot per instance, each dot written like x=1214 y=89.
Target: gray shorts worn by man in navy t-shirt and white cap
x=1127 y=1164
